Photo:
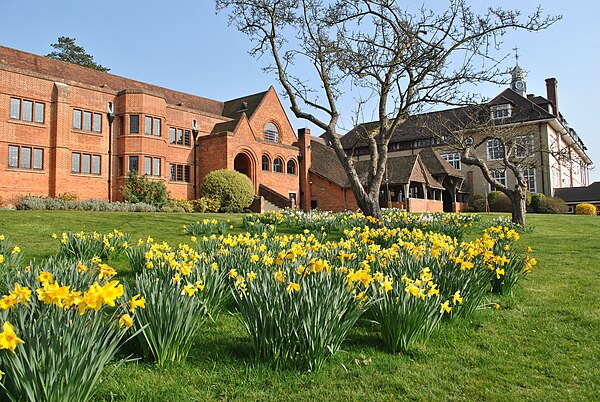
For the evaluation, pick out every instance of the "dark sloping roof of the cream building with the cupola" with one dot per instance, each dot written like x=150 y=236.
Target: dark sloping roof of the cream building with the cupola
x=428 y=125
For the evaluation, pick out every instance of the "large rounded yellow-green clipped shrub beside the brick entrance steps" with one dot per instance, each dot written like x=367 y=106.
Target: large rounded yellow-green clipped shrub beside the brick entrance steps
x=232 y=189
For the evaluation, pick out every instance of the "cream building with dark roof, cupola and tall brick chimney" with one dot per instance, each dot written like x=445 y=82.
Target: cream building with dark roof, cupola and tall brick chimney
x=551 y=153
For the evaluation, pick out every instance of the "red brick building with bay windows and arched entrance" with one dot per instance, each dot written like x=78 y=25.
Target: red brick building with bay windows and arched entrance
x=55 y=137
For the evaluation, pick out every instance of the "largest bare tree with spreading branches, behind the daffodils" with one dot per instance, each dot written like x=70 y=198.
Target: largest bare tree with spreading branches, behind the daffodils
x=403 y=61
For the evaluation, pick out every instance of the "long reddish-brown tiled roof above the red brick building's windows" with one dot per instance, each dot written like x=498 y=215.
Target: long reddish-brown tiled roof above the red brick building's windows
x=66 y=72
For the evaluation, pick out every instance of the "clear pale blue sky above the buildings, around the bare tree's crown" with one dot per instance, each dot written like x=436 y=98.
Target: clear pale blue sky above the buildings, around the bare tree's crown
x=184 y=45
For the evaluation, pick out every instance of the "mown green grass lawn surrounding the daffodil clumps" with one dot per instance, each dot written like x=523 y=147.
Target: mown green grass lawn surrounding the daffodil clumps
x=543 y=344
